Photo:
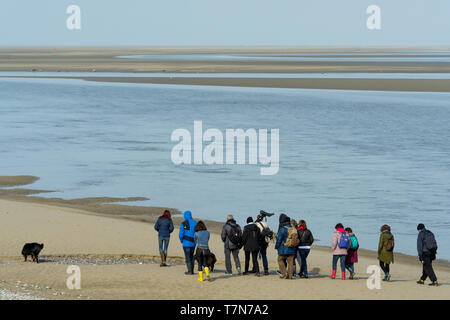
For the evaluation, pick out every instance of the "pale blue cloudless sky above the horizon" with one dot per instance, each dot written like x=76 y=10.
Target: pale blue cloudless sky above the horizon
x=226 y=22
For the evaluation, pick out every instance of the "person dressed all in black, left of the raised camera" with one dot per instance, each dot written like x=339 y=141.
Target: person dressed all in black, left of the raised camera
x=250 y=238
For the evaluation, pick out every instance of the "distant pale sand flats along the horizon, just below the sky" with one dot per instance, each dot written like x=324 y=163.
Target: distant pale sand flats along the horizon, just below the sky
x=103 y=59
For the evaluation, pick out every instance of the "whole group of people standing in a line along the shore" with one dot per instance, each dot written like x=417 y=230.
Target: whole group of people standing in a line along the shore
x=293 y=243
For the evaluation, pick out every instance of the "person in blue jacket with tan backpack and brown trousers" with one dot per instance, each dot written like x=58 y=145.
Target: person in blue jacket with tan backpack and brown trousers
x=287 y=241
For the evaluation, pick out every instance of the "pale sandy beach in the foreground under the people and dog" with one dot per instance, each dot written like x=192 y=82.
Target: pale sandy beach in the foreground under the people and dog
x=118 y=260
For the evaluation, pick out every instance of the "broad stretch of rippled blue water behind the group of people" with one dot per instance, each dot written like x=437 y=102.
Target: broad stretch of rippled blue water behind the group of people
x=360 y=158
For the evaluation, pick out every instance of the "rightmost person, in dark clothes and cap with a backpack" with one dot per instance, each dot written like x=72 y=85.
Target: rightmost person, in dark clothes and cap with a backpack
x=426 y=249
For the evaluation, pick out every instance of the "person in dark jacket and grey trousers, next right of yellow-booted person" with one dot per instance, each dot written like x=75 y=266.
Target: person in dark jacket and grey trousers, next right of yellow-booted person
x=232 y=238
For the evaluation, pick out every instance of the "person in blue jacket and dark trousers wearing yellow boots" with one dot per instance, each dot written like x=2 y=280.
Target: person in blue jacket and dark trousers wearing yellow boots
x=201 y=238
